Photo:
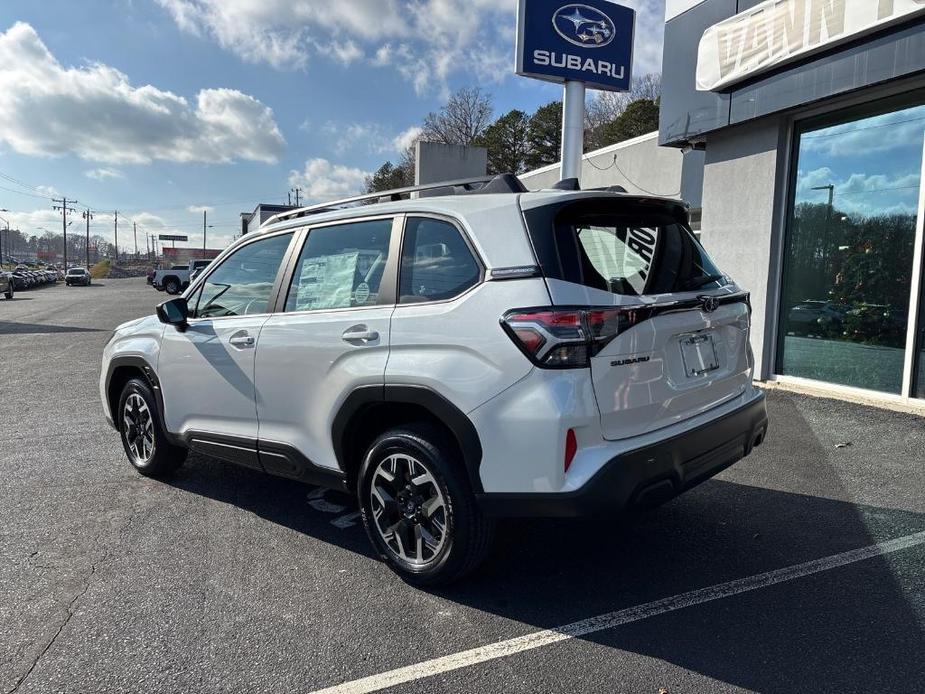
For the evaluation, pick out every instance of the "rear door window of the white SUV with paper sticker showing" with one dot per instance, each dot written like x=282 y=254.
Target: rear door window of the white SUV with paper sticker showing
x=341 y=266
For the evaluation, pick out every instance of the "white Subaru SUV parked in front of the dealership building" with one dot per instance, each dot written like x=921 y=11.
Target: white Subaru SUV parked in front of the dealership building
x=451 y=355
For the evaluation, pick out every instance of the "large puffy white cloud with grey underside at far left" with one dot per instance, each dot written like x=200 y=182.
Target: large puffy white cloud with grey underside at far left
x=94 y=112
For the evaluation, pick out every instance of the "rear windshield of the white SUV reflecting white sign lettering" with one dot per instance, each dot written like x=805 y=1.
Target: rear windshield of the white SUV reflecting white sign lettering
x=621 y=247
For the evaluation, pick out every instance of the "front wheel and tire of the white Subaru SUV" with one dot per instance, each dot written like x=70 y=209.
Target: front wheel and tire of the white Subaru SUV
x=142 y=433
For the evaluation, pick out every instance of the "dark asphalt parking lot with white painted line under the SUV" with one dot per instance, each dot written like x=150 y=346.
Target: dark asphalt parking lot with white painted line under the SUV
x=224 y=580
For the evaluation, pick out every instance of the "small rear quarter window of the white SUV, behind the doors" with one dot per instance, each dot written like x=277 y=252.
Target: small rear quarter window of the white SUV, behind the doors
x=436 y=262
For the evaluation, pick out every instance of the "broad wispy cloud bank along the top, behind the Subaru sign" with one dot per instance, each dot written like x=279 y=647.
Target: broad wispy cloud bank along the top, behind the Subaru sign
x=424 y=40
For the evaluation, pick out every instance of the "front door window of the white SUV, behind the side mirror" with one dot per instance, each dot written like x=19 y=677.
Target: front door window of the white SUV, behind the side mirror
x=242 y=284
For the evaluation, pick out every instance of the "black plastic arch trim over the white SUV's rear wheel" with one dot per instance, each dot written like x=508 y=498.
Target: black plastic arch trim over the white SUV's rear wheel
x=451 y=416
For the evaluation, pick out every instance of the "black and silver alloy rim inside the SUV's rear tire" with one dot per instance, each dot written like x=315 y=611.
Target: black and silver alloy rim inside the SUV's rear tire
x=409 y=509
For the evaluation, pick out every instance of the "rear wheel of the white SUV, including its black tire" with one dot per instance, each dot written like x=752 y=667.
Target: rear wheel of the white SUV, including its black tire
x=436 y=516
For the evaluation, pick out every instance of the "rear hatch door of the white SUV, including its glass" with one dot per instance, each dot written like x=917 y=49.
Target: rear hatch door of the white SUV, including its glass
x=681 y=347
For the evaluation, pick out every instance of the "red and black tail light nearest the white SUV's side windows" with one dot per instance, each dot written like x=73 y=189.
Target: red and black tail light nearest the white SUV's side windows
x=566 y=338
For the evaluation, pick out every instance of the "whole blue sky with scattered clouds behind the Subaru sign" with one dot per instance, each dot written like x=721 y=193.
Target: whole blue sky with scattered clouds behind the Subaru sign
x=158 y=108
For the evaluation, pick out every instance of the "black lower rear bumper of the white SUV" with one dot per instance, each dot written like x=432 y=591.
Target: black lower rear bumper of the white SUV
x=650 y=475
